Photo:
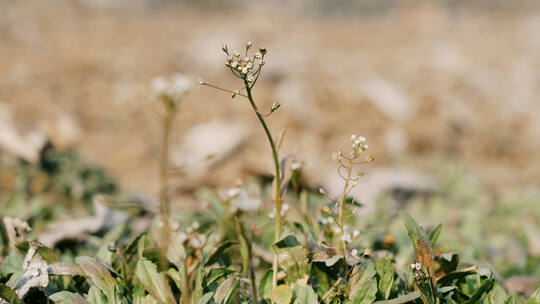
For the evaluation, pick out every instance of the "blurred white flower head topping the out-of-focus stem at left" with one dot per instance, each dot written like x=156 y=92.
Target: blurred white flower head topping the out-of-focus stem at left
x=173 y=88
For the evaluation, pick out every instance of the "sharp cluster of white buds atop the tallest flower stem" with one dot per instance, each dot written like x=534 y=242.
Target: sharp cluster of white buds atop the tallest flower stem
x=246 y=67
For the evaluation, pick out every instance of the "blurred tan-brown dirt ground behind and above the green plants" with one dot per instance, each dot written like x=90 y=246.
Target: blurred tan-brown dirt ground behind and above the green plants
x=444 y=81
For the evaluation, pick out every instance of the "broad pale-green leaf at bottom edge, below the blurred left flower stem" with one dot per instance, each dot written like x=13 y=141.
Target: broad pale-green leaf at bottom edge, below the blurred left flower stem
x=155 y=283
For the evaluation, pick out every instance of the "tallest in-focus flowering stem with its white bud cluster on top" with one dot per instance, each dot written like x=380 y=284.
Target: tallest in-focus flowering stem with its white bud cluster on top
x=249 y=68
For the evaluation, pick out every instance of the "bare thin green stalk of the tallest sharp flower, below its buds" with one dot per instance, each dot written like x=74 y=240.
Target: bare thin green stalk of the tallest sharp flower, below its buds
x=277 y=233
